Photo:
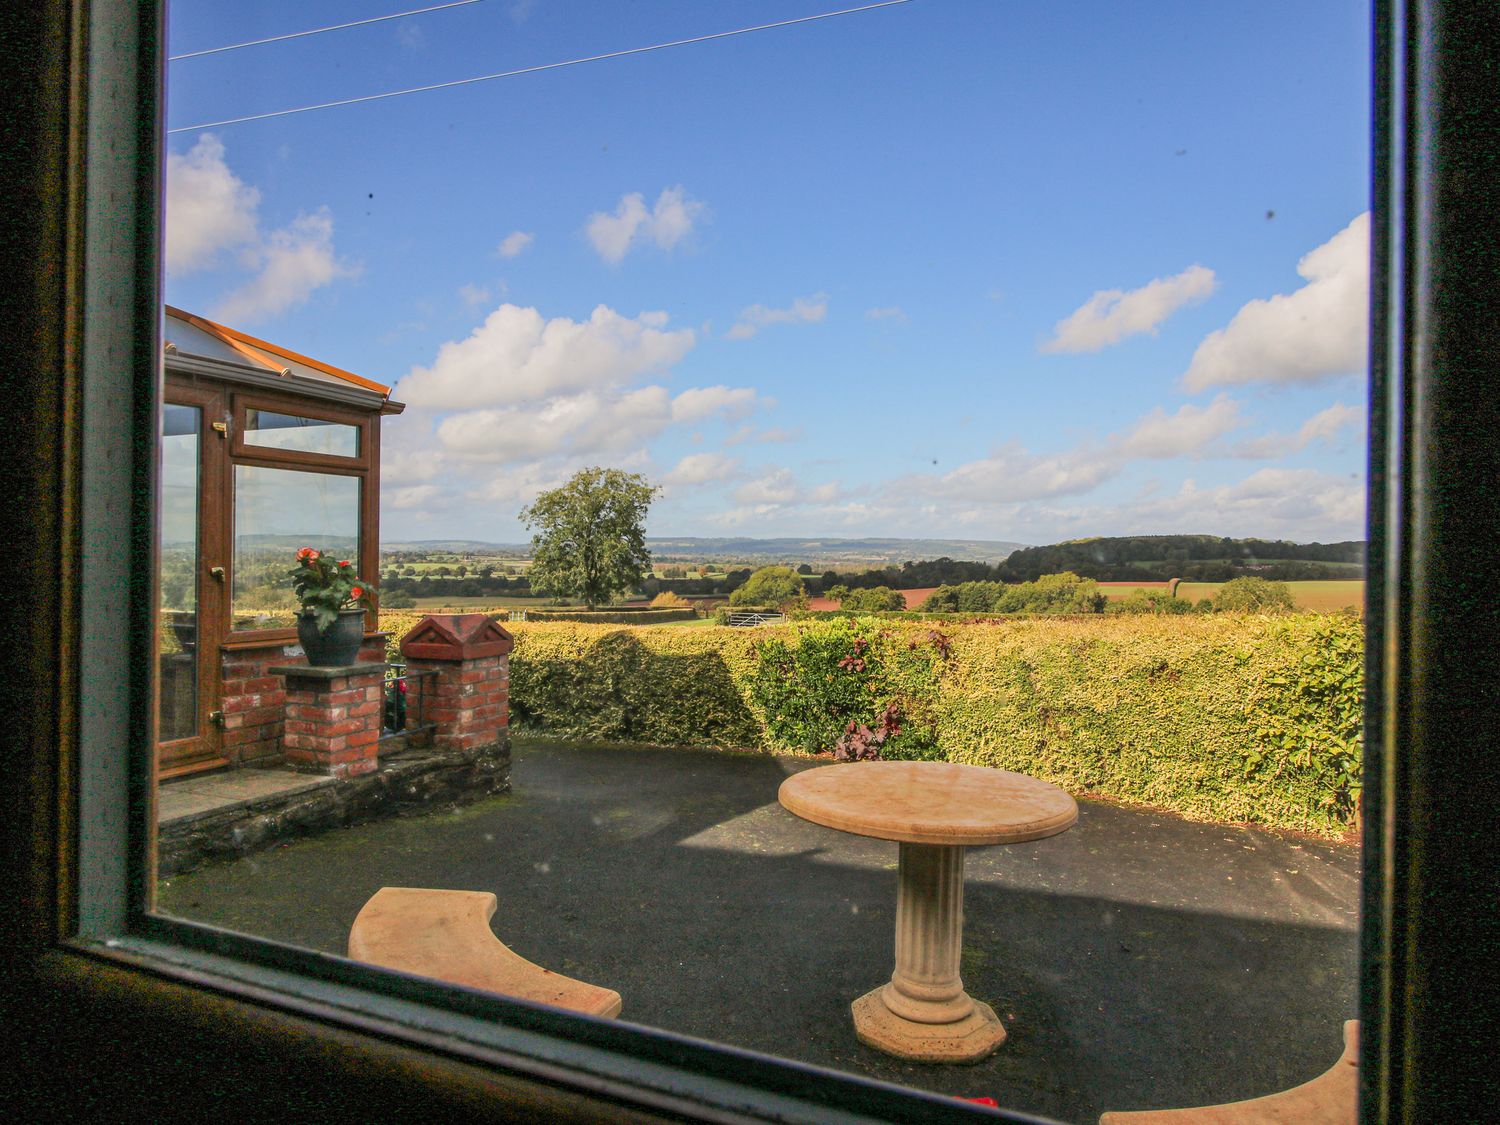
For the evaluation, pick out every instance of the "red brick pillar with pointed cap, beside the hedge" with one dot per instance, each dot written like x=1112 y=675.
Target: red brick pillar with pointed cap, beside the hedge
x=469 y=695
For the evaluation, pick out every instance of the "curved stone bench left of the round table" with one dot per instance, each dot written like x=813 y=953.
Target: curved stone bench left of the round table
x=446 y=935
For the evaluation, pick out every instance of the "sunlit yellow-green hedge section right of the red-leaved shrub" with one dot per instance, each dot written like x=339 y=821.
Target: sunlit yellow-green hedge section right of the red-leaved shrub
x=1225 y=719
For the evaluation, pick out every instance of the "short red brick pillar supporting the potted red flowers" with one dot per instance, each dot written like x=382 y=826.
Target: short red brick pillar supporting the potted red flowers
x=334 y=718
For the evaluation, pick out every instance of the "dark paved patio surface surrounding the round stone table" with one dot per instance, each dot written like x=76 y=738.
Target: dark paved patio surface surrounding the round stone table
x=1138 y=961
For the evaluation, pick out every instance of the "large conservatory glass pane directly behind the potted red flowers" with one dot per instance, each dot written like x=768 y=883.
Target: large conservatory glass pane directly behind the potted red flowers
x=275 y=514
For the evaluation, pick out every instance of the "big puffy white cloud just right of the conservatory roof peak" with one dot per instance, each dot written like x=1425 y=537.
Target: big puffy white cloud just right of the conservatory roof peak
x=520 y=356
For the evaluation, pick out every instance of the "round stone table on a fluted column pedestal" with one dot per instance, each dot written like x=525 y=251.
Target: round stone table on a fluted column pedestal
x=934 y=811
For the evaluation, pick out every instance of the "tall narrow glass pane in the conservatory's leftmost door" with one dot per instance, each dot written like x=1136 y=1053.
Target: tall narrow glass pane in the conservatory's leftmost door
x=179 y=572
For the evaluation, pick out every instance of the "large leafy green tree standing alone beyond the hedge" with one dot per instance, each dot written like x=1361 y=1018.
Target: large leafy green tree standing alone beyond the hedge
x=590 y=535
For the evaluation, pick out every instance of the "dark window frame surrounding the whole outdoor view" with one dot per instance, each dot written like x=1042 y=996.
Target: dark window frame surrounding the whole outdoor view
x=145 y=1010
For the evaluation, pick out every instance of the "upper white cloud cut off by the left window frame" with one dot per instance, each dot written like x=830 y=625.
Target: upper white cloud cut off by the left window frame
x=209 y=209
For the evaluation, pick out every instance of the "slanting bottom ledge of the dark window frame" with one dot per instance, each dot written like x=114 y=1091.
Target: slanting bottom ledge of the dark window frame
x=476 y=1054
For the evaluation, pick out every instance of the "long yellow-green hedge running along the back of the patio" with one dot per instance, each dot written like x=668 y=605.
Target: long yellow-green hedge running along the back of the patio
x=1225 y=718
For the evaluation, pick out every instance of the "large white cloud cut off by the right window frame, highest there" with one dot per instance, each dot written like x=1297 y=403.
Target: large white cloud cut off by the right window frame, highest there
x=1313 y=334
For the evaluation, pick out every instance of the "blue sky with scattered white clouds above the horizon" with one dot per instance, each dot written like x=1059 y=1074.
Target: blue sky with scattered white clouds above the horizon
x=952 y=268
